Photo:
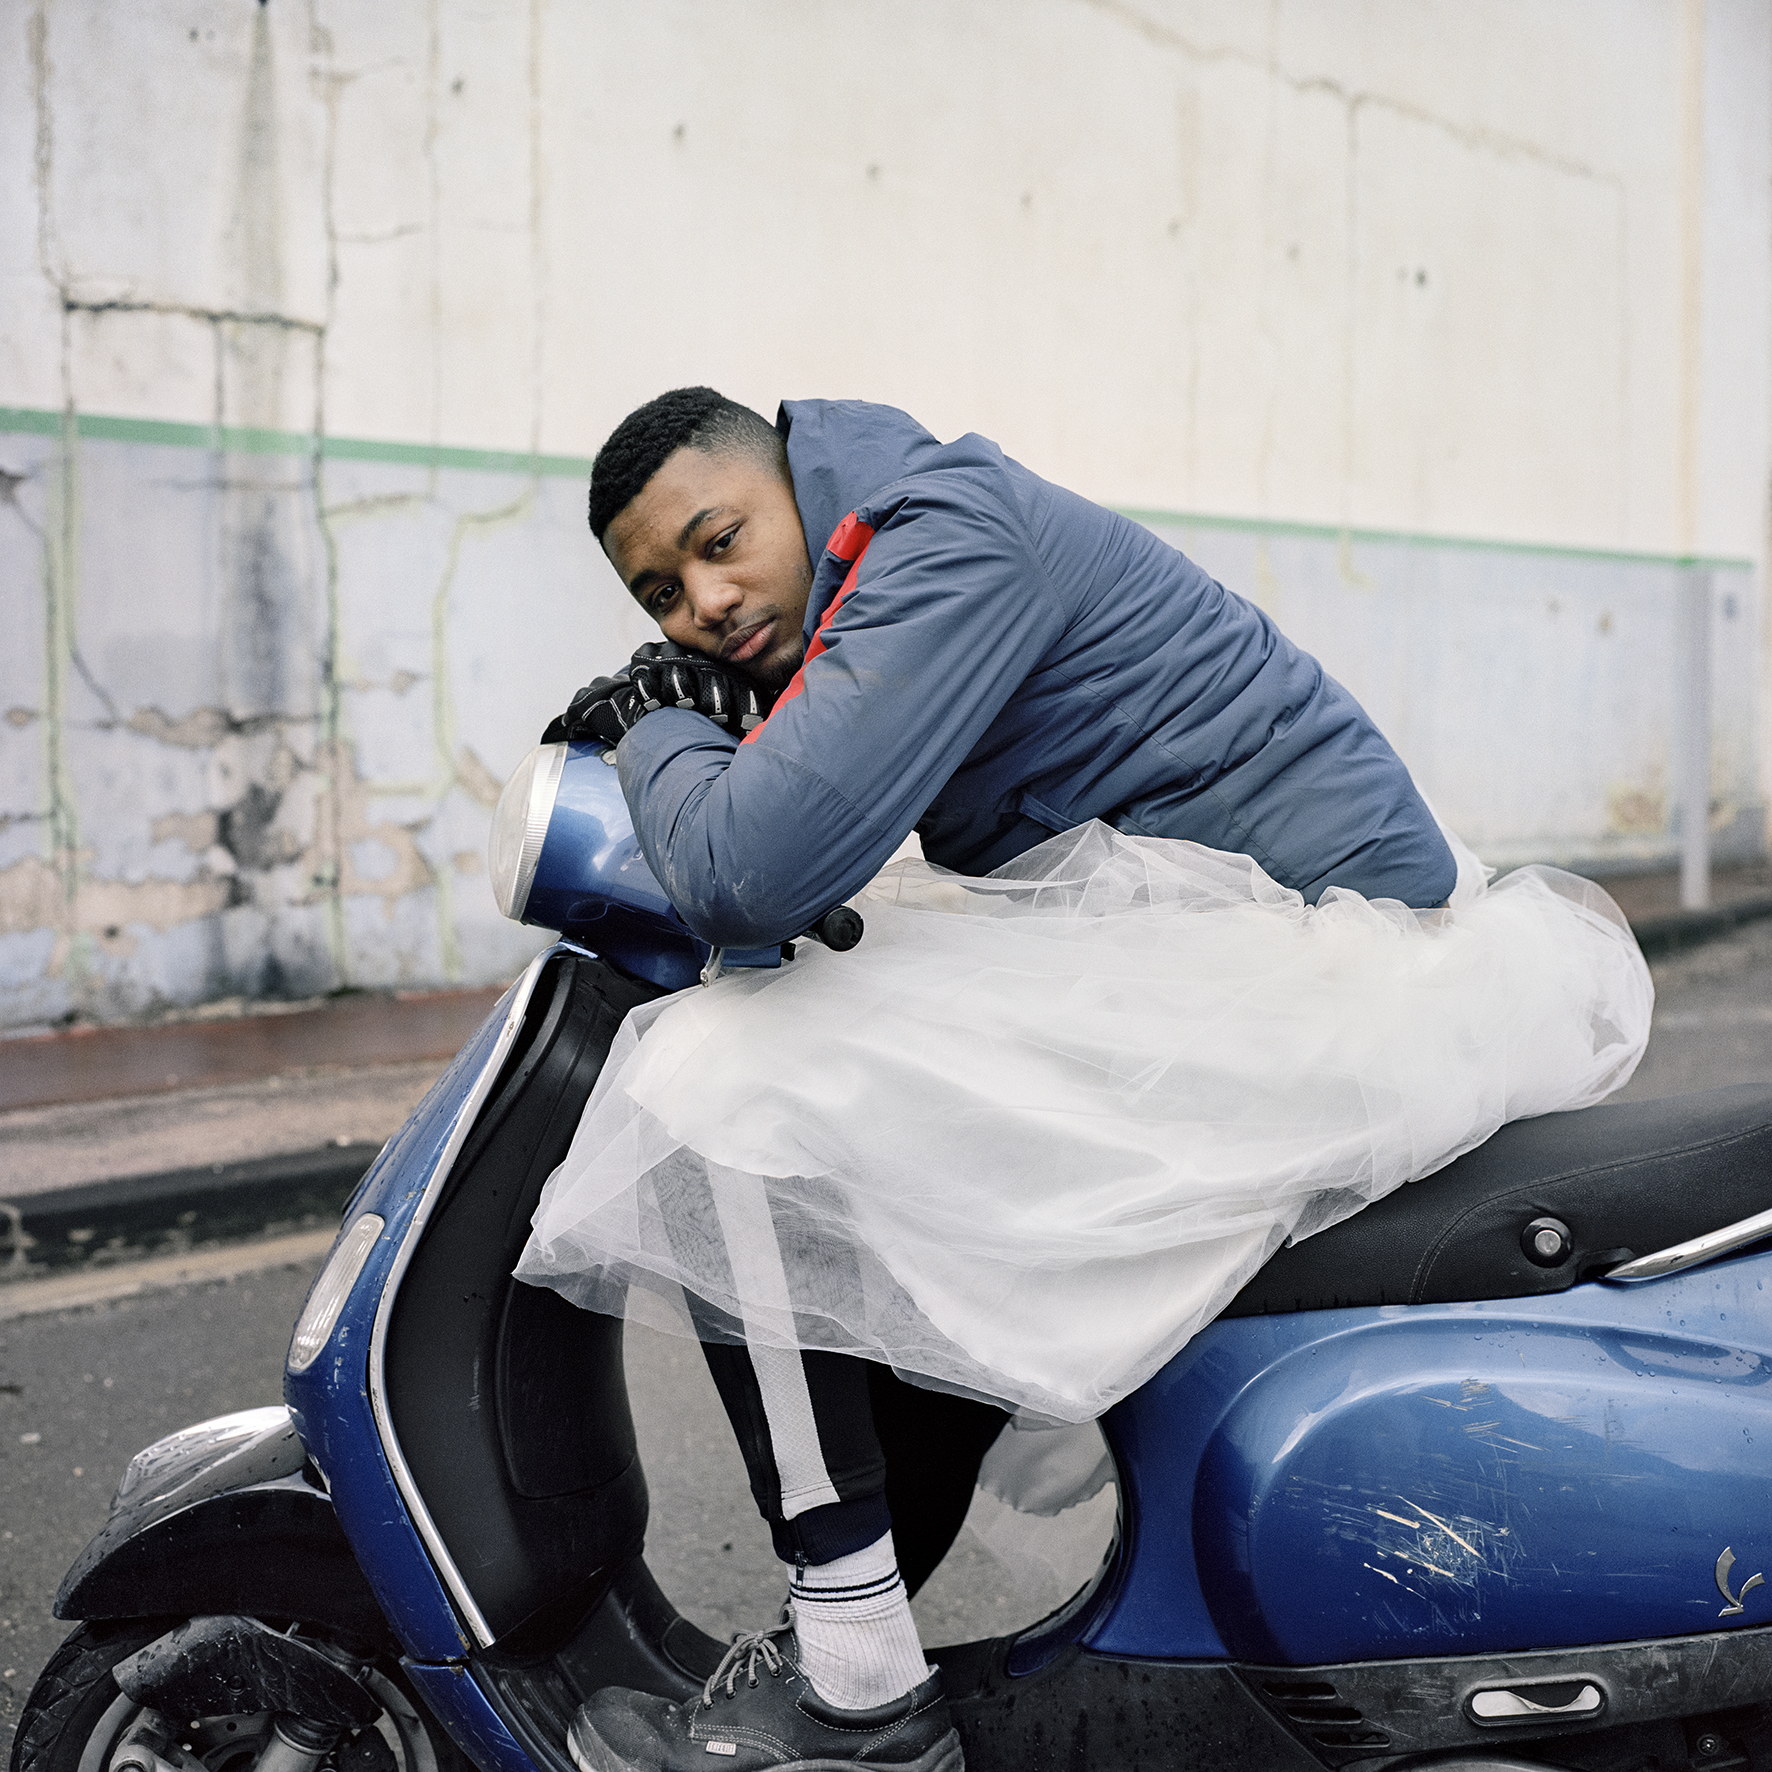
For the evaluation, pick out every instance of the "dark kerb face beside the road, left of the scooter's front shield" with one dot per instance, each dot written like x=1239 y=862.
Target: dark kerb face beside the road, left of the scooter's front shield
x=144 y=1216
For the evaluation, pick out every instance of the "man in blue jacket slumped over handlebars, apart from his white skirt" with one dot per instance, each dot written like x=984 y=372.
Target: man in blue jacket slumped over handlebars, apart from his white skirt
x=945 y=644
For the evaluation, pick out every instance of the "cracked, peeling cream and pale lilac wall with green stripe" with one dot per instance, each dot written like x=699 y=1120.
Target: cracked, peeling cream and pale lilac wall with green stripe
x=309 y=315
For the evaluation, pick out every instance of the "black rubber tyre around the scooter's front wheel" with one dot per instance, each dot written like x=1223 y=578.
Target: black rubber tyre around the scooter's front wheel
x=77 y=1704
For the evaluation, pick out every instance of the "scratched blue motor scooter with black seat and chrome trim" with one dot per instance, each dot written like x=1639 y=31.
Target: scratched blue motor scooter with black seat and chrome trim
x=1479 y=1479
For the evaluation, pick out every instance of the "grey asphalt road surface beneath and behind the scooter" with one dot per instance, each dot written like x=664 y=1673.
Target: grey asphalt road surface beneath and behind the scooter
x=82 y=1392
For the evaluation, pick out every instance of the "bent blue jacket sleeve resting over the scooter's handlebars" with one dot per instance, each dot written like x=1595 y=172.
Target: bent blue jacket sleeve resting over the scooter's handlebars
x=949 y=614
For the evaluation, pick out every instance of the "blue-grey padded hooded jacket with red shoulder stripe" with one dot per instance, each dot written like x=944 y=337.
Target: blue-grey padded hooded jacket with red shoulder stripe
x=993 y=660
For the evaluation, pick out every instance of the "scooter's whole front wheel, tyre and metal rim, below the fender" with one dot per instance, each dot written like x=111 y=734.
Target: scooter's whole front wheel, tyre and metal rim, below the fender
x=77 y=1716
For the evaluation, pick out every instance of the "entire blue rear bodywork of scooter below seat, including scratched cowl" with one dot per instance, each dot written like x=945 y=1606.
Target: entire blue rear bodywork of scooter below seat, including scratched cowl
x=1454 y=1479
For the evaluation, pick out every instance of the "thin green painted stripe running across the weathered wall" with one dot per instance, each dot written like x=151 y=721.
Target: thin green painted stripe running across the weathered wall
x=27 y=421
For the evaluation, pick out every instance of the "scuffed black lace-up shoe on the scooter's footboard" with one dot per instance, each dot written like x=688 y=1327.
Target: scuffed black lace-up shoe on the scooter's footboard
x=743 y=1723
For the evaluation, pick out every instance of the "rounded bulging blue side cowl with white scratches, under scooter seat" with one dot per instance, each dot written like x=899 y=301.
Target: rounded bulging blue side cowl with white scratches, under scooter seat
x=1403 y=1493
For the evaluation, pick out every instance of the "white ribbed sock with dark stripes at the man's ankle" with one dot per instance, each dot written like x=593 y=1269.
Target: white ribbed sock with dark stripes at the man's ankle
x=859 y=1642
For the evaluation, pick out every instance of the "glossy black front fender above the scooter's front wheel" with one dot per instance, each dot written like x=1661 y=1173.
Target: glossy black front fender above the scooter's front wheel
x=226 y=1518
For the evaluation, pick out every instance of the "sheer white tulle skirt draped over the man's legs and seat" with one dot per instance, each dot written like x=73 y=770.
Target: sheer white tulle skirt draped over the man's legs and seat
x=1039 y=1128
